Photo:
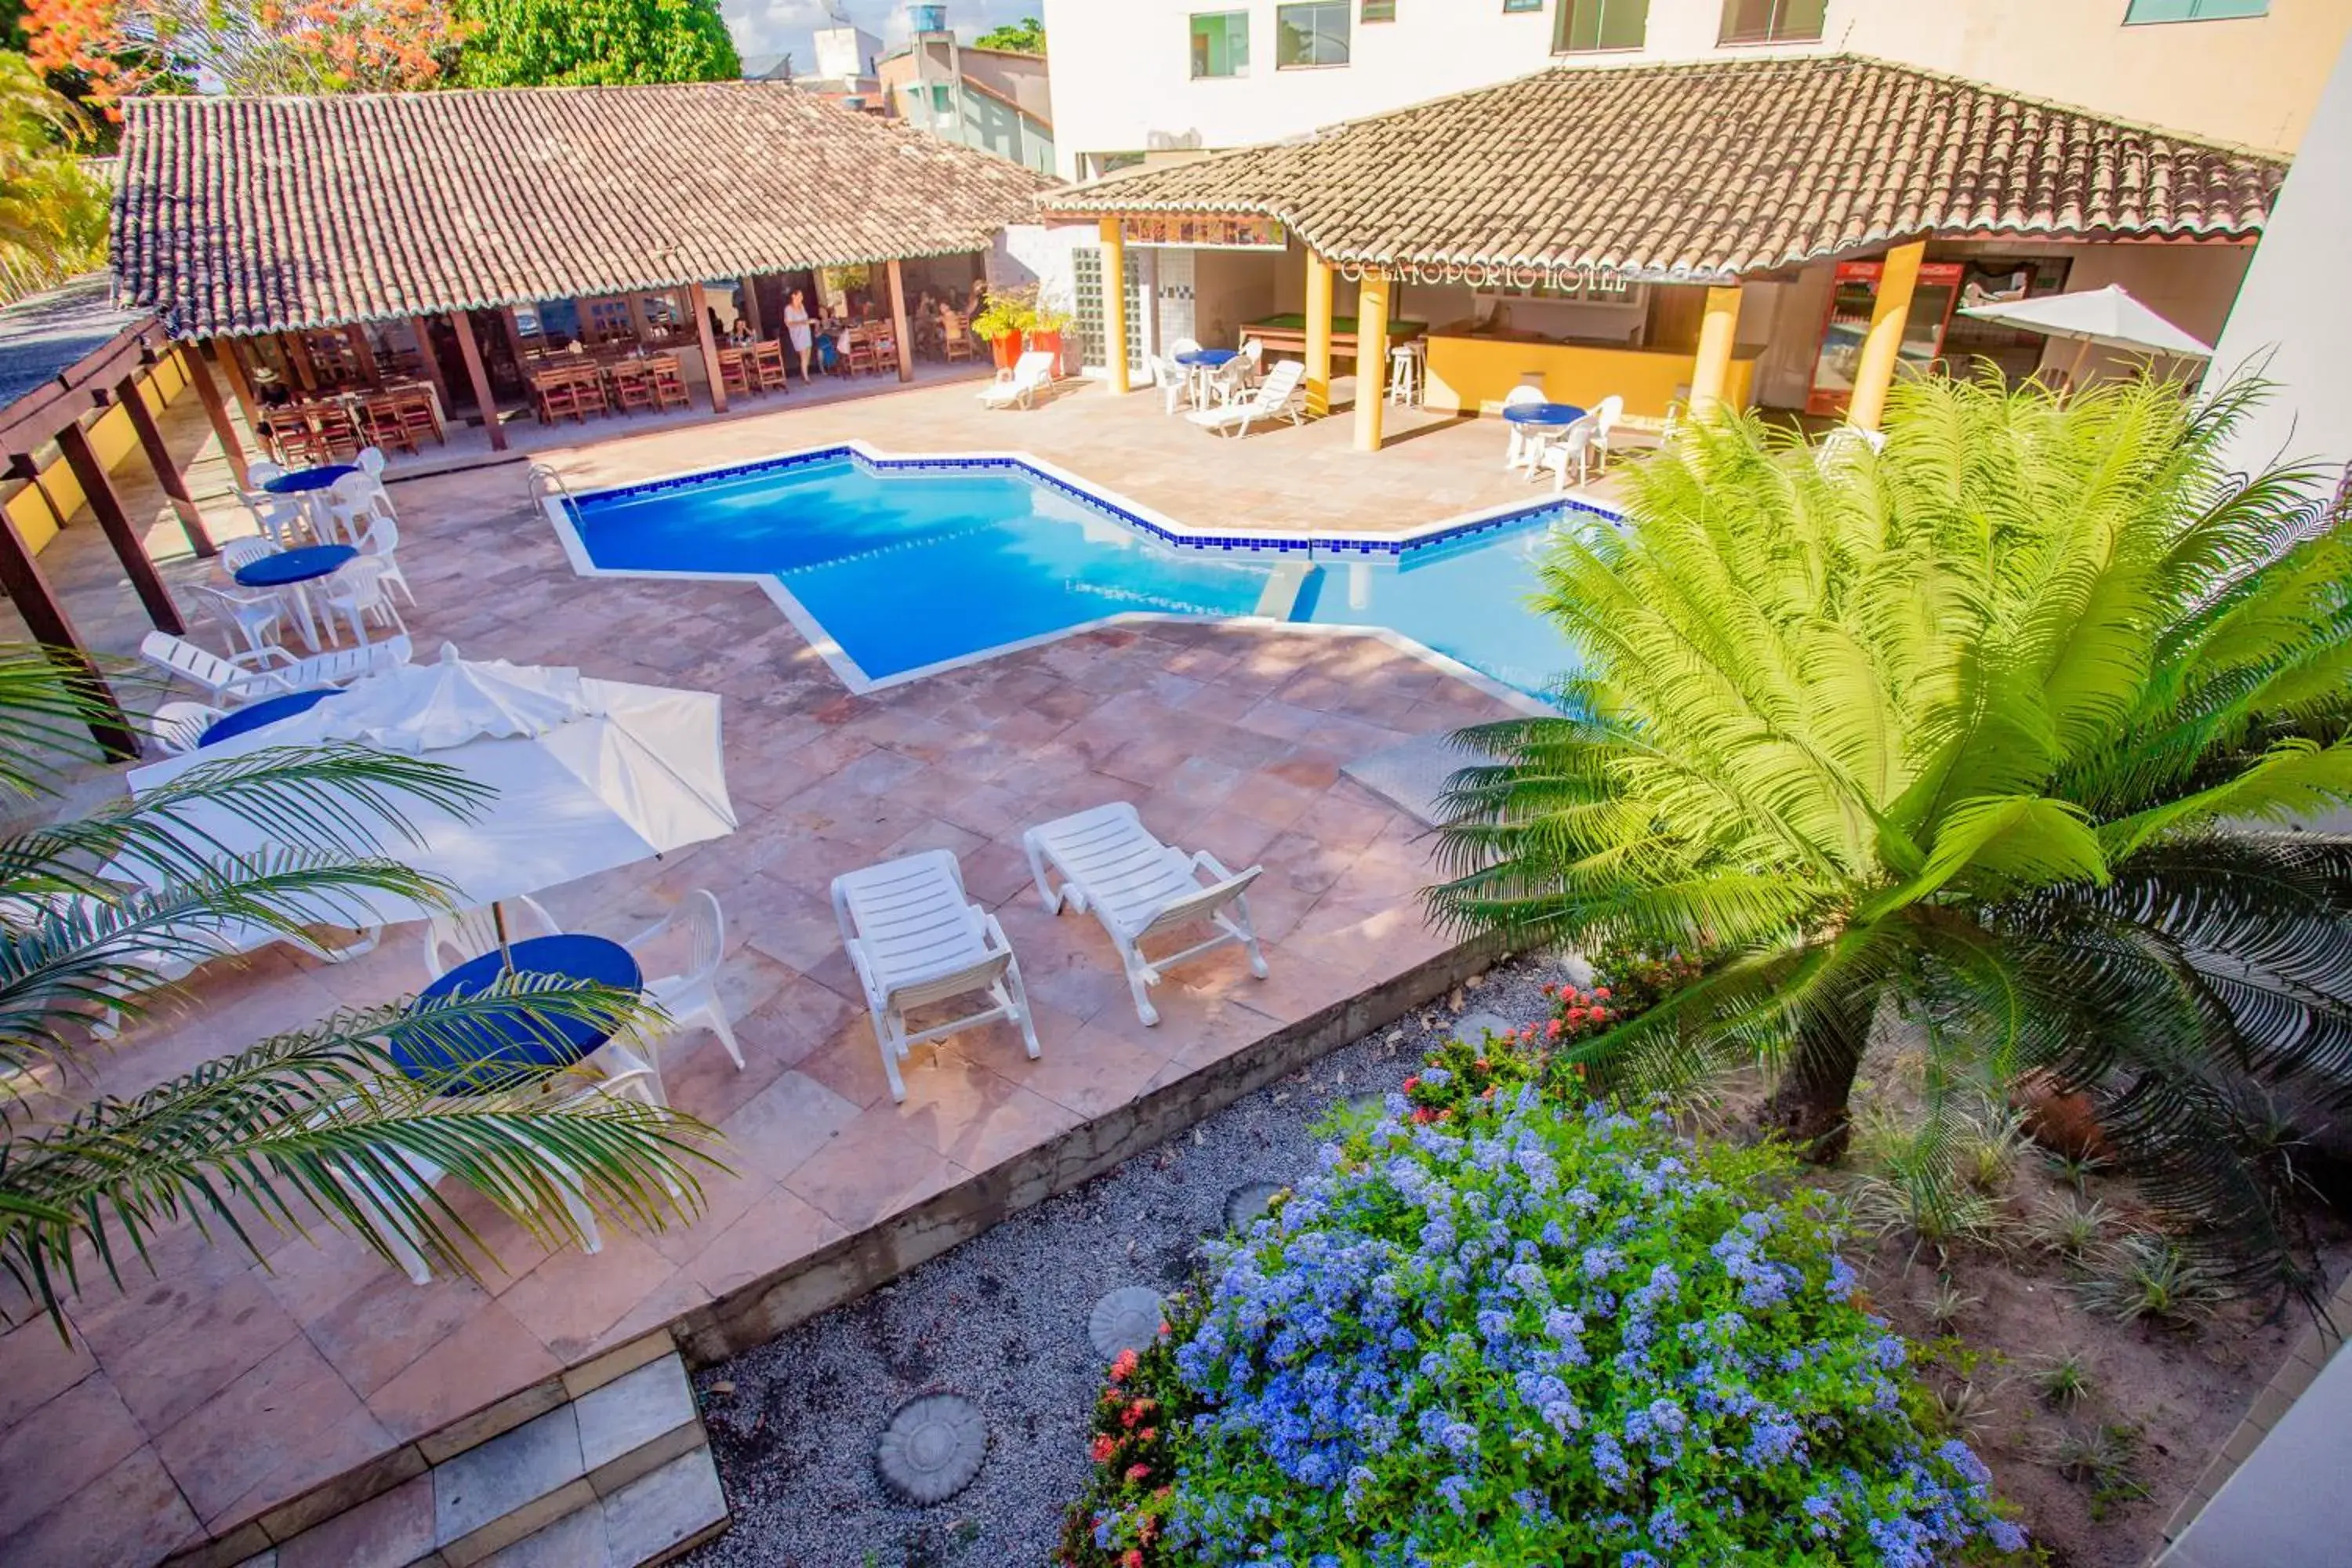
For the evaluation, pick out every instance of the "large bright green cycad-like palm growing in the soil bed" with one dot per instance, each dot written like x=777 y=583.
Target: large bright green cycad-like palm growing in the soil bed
x=2000 y=728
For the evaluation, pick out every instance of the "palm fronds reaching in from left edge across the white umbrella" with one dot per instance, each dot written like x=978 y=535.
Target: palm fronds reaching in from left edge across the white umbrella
x=290 y=1130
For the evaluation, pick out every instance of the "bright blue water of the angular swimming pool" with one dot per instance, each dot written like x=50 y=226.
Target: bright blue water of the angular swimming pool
x=916 y=568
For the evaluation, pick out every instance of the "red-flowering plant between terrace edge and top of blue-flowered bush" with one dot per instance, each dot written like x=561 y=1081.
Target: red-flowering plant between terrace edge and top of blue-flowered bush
x=1462 y=1076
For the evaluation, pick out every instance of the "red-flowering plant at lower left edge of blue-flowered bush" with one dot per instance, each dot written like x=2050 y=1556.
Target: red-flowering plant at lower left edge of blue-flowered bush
x=1121 y=1517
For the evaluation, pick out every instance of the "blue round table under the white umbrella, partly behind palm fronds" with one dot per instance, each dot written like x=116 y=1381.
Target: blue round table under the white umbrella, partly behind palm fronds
x=512 y=1047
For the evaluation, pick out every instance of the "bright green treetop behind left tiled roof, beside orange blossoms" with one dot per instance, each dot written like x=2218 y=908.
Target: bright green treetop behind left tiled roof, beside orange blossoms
x=582 y=43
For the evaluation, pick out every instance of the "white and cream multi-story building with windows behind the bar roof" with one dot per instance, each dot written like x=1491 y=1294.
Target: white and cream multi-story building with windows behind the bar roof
x=1147 y=81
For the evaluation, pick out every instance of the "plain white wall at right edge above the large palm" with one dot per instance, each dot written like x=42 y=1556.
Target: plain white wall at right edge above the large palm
x=2294 y=316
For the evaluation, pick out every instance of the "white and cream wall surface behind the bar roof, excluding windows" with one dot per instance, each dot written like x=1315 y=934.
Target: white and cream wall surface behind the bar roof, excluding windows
x=1123 y=67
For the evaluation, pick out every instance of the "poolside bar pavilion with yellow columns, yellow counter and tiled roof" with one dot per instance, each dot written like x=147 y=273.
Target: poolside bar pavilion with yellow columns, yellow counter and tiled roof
x=1596 y=232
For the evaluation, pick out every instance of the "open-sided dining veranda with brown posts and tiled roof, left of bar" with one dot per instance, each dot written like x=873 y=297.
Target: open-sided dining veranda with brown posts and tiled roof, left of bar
x=387 y=269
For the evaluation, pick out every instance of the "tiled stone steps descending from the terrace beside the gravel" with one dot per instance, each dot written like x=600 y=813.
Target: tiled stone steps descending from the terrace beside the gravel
x=613 y=1480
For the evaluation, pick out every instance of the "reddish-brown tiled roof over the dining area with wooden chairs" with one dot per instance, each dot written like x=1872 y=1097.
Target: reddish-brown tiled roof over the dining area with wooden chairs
x=267 y=215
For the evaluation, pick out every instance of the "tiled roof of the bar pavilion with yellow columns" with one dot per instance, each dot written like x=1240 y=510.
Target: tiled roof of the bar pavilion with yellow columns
x=1711 y=170
